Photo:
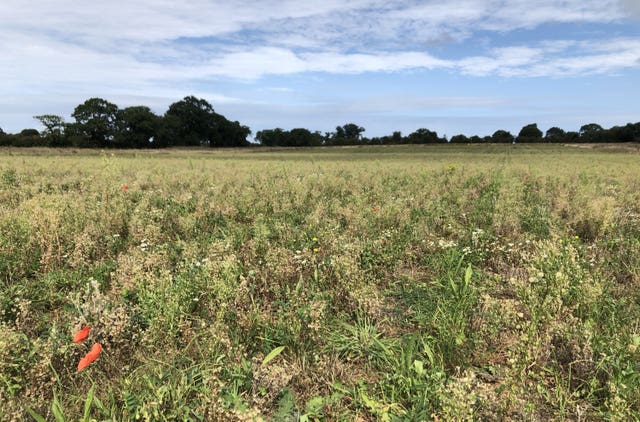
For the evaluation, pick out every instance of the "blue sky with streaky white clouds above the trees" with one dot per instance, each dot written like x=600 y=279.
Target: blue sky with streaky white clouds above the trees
x=455 y=66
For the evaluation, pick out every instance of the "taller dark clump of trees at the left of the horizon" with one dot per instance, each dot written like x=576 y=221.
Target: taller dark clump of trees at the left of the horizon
x=101 y=124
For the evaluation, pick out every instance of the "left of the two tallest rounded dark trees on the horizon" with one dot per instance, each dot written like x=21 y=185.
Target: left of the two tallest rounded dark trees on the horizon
x=96 y=121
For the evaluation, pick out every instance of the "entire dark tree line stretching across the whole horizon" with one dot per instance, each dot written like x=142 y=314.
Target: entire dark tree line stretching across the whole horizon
x=193 y=122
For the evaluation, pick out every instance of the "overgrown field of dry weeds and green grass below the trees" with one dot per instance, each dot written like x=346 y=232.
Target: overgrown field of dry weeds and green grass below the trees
x=394 y=283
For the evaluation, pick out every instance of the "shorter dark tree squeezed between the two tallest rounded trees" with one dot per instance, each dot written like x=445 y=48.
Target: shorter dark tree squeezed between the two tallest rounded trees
x=137 y=127
